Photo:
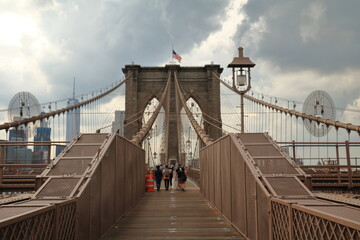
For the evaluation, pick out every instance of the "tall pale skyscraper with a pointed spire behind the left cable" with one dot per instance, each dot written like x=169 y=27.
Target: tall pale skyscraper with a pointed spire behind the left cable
x=72 y=119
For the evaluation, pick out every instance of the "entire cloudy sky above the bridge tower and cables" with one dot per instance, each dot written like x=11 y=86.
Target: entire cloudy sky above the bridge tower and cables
x=298 y=46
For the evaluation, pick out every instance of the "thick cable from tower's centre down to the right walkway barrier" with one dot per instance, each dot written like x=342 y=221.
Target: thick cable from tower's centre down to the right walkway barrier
x=199 y=131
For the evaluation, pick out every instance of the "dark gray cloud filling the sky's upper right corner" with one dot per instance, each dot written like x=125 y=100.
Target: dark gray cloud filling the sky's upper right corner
x=306 y=34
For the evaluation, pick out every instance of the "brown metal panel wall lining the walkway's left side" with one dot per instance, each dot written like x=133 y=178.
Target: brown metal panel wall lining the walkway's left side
x=116 y=186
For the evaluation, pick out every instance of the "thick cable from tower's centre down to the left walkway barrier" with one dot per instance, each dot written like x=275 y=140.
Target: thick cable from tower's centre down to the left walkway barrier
x=140 y=135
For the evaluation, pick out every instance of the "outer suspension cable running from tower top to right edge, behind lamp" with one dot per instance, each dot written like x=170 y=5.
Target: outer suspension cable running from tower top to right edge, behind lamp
x=336 y=124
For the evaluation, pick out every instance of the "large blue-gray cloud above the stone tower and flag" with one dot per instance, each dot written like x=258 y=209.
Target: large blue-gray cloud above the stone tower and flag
x=95 y=39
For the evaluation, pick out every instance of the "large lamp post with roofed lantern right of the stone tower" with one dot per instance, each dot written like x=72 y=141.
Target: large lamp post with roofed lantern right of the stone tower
x=241 y=79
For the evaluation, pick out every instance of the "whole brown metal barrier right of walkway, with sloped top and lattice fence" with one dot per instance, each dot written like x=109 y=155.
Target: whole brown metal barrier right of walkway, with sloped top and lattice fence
x=255 y=185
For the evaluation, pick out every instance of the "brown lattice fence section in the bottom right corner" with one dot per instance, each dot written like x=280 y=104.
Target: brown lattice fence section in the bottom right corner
x=313 y=219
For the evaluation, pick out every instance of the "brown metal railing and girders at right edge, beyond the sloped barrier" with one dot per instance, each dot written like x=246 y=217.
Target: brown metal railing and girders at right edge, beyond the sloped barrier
x=334 y=165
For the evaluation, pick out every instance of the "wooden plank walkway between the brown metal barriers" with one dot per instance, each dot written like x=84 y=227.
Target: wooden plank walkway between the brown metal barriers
x=174 y=215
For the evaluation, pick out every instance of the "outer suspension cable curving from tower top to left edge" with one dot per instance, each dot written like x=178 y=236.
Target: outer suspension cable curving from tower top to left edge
x=6 y=126
